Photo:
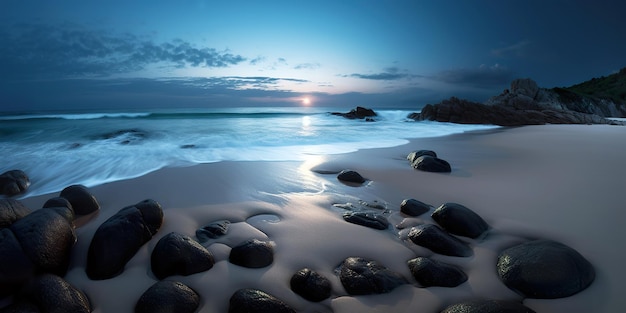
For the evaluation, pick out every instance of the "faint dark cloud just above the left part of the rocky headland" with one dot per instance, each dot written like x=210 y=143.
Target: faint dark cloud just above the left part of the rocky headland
x=482 y=76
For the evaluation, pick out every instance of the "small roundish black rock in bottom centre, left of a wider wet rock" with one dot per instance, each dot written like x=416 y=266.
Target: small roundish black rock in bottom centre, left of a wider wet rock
x=310 y=285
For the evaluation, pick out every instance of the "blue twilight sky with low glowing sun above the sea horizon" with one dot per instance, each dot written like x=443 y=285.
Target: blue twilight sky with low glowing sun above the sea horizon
x=117 y=55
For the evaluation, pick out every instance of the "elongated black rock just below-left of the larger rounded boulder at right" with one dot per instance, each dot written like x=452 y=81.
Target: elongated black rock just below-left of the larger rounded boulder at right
x=434 y=238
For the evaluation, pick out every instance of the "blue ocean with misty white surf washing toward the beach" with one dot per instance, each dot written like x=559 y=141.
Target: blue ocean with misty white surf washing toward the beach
x=61 y=149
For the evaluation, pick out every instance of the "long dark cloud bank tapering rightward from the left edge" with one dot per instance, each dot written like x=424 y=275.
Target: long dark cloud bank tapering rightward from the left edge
x=39 y=50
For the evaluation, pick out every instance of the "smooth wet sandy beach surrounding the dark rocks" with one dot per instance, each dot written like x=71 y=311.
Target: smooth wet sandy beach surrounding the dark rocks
x=565 y=183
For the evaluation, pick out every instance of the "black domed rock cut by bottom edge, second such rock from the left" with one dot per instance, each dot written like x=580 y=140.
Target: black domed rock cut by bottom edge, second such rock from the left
x=168 y=297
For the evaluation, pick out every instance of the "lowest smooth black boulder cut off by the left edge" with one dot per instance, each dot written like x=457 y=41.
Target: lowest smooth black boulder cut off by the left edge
x=15 y=266
